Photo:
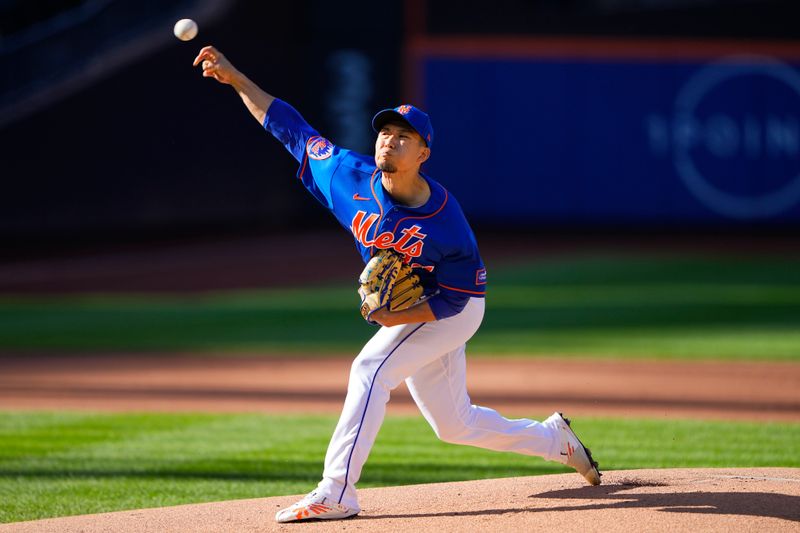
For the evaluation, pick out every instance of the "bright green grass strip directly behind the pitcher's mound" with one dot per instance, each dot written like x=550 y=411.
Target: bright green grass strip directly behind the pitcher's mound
x=64 y=464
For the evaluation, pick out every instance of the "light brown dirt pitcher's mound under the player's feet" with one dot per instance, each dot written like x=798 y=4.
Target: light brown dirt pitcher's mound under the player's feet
x=754 y=499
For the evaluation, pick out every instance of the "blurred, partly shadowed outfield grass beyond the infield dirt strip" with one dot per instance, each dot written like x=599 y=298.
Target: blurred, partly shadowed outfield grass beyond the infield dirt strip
x=689 y=307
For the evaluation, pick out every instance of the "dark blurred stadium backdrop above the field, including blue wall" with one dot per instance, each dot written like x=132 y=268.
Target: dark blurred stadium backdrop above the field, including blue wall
x=614 y=117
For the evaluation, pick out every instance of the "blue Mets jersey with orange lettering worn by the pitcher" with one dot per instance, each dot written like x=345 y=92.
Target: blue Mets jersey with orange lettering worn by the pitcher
x=435 y=238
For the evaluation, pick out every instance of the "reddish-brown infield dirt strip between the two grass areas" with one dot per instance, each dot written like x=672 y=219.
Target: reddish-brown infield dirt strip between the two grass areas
x=524 y=387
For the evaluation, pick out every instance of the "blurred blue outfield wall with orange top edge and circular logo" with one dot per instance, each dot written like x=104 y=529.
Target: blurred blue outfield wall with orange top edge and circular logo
x=588 y=131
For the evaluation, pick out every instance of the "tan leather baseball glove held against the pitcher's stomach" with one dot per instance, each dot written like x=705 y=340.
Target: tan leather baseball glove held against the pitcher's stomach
x=387 y=282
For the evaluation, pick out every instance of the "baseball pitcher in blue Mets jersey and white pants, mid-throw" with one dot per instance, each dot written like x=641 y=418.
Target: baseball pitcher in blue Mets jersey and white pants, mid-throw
x=424 y=283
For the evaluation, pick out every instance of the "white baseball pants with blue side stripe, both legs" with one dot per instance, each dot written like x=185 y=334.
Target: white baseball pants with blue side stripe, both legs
x=430 y=358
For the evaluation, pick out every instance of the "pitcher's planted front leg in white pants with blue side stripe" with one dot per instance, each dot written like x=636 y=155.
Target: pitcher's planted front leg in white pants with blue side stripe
x=388 y=358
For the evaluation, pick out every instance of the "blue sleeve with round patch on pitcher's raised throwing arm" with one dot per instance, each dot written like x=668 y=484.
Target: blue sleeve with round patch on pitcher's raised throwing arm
x=318 y=157
